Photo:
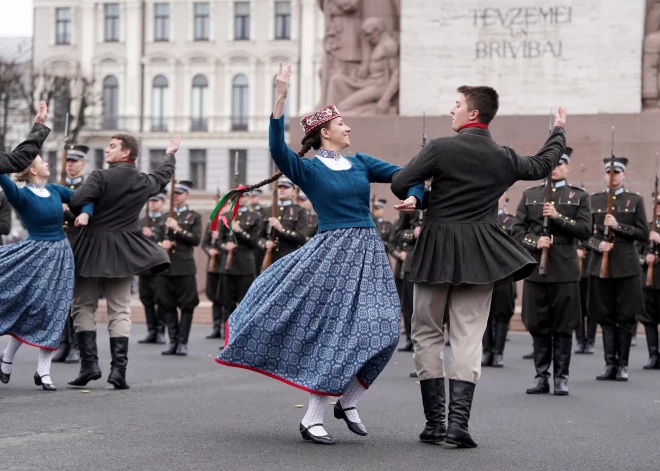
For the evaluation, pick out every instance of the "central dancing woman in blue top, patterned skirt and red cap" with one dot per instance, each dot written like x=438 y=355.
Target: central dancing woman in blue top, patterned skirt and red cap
x=326 y=318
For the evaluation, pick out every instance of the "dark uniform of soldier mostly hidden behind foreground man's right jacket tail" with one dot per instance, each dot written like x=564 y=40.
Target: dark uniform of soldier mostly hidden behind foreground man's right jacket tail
x=502 y=307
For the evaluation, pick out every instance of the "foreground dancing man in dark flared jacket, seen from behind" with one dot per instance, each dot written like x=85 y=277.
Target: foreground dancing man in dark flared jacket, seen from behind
x=462 y=251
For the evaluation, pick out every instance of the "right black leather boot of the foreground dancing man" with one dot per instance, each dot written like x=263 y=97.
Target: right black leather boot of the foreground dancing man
x=460 y=404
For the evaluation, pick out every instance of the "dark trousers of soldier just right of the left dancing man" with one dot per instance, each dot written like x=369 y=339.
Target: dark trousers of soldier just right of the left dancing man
x=177 y=292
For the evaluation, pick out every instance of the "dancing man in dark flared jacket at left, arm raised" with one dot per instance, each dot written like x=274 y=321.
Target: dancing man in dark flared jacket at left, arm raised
x=112 y=249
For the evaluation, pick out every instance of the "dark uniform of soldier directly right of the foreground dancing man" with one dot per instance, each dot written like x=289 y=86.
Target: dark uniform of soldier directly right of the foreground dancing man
x=551 y=303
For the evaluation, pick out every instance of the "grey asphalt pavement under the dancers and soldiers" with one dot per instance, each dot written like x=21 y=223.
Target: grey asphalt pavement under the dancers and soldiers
x=188 y=413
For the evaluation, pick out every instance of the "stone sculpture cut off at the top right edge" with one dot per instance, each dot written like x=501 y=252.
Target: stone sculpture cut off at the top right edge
x=651 y=57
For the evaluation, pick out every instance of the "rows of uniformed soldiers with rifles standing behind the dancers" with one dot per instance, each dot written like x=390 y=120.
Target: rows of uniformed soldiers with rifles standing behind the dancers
x=572 y=296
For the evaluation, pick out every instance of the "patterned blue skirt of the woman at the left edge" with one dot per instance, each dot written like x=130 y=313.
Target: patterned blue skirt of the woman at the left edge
x=36 y=280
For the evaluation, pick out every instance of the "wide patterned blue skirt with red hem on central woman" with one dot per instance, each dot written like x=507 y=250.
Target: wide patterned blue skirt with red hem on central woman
x=319 y=316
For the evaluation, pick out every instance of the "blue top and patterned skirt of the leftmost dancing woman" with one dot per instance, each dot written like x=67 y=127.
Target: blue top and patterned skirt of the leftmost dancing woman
x=36 y=274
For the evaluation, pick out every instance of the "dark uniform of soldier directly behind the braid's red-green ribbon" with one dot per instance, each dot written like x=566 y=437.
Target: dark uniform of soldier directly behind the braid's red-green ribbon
x=237 y=278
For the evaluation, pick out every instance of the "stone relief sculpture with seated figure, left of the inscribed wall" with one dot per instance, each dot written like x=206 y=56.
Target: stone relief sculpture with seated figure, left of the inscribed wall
x=360 y=72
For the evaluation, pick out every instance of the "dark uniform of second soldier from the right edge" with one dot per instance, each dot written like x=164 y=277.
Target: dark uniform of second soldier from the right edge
x=617 y=299
